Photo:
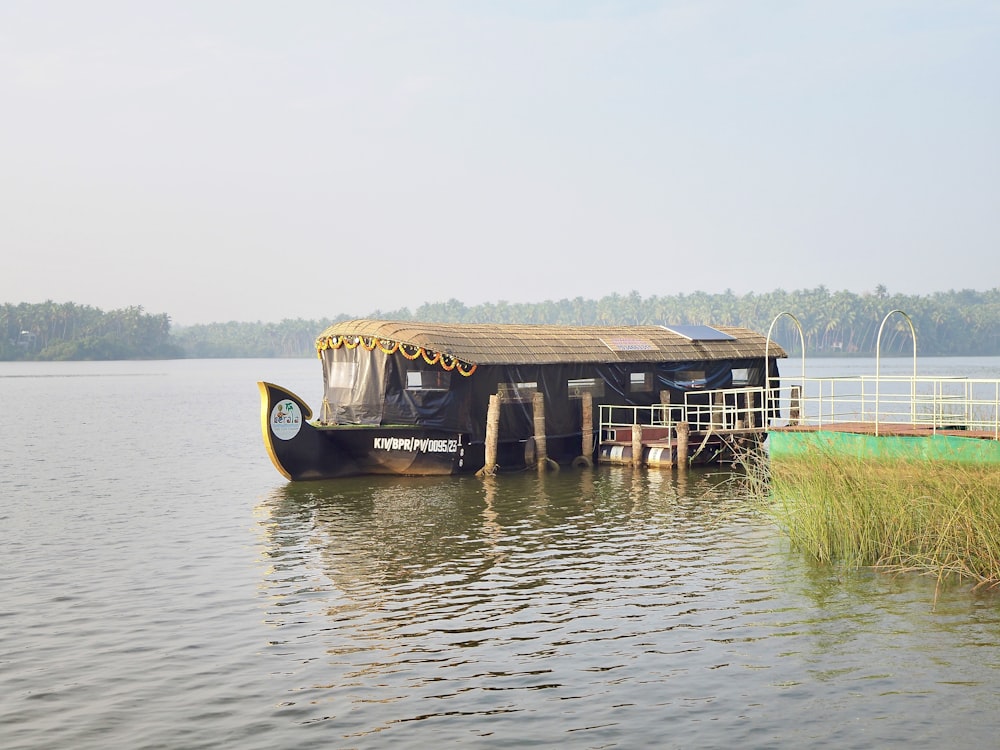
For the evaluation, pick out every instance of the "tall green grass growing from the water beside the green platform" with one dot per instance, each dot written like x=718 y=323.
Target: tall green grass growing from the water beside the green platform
x=940 y=518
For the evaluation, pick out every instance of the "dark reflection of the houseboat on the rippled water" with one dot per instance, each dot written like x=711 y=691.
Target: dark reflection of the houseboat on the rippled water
x=370 y=534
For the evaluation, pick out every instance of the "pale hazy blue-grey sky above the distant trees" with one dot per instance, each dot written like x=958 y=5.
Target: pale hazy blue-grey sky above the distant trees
x=265 y=160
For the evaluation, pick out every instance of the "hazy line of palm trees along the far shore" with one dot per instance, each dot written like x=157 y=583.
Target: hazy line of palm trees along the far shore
x=954 y=323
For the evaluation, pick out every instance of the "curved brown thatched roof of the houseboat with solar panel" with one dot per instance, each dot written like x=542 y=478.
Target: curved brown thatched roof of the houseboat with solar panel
x=494 y=344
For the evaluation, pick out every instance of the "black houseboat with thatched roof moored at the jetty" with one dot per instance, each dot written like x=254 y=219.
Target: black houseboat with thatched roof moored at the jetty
x=409 y=398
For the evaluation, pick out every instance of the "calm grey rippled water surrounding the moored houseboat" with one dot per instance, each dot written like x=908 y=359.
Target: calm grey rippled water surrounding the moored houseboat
x=164 y=587
